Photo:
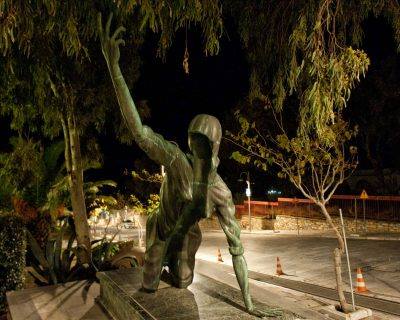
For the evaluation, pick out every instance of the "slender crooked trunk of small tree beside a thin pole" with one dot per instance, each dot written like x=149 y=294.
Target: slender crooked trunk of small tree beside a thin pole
x=337 y=258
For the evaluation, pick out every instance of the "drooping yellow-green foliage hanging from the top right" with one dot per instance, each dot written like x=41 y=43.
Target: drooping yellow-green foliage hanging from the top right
x=303 y=48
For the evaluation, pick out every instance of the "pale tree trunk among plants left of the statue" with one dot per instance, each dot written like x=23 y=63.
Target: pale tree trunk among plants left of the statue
x=73 y=162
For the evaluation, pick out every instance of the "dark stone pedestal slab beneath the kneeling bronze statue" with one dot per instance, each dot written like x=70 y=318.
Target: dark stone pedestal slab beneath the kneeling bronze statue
x=204 y=299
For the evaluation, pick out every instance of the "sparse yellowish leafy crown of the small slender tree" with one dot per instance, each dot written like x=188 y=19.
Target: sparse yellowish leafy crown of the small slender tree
x=315 y=164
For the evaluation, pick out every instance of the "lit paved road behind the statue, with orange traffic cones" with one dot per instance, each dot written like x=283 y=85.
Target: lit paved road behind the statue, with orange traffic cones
x=309 y=259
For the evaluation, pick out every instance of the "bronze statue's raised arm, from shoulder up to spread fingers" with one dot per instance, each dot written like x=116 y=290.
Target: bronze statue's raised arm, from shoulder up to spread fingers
x=156 y=147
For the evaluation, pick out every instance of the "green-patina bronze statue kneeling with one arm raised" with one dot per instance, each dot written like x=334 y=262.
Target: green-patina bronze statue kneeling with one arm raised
x=191 y=190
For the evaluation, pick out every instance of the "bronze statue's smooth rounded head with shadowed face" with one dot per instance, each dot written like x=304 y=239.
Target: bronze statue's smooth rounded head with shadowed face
x=204 y=136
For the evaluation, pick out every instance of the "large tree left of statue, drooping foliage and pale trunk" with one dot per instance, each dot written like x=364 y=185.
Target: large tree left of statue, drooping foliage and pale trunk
x=53 y=83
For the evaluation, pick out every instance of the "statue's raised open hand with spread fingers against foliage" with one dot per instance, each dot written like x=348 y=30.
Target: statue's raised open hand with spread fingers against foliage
x=110 y=45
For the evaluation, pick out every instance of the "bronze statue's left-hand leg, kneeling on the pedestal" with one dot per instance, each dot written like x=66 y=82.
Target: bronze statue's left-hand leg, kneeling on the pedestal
x=153 y=257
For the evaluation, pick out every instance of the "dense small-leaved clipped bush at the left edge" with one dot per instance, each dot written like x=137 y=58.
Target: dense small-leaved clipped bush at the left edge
x=12 y=255
